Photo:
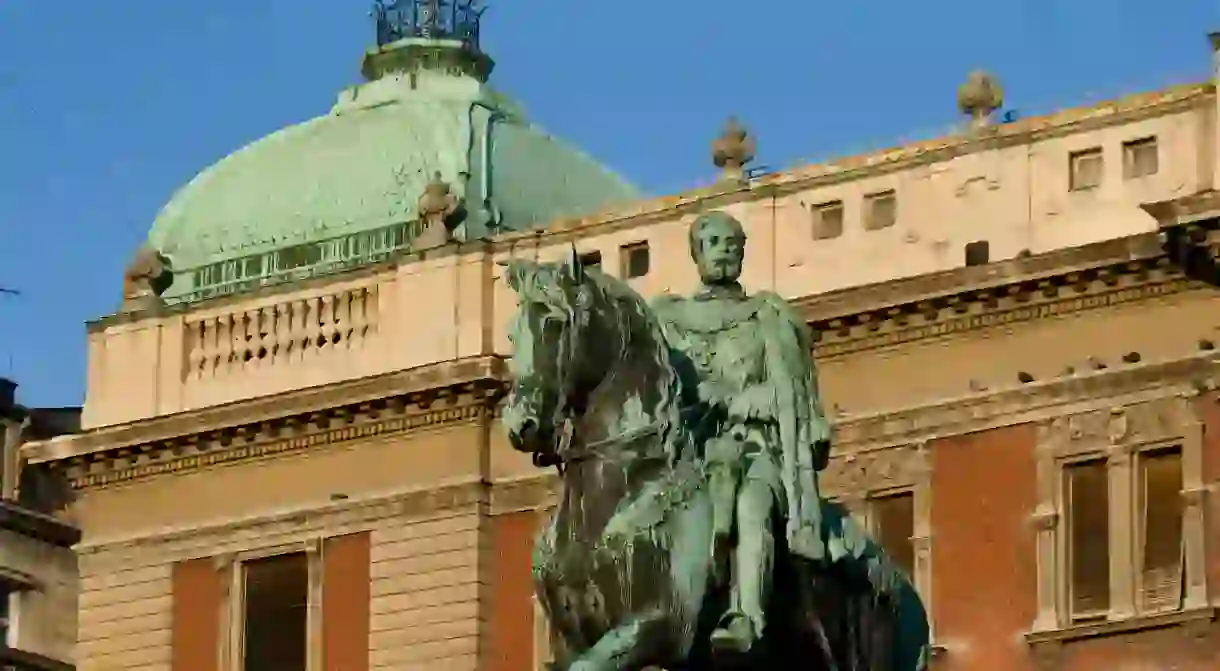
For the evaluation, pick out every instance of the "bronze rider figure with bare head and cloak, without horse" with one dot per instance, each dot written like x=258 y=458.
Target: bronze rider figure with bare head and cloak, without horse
x=755 y=365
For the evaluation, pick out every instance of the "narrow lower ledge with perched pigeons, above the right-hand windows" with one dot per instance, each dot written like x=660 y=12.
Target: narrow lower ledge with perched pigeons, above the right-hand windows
x=1028 y=403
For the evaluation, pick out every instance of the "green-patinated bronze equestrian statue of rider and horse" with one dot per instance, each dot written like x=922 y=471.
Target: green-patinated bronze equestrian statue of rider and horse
x=690 y=533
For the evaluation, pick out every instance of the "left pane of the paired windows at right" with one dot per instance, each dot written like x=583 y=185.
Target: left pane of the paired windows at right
x=1088 y=496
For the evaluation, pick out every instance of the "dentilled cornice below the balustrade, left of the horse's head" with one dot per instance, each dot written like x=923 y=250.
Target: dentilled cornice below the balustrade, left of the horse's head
x=426 y=397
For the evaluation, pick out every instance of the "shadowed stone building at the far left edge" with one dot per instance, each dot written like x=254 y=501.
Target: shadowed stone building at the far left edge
x=38 y=570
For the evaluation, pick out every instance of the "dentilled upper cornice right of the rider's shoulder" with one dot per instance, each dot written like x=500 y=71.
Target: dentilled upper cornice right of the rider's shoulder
x=966 y=300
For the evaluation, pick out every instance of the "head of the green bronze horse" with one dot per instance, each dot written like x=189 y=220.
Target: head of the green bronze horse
x=561 y=336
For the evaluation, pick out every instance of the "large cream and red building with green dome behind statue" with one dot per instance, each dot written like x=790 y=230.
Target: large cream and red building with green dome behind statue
x=290 y=448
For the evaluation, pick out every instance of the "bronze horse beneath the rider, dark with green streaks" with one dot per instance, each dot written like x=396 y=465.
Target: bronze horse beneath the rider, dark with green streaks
x=623 y=569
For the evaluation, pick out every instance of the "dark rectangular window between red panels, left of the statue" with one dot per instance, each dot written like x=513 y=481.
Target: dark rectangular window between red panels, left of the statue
x=276 y=614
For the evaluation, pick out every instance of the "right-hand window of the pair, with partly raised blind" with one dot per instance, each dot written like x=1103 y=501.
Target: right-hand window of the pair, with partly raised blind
x=1162 y=554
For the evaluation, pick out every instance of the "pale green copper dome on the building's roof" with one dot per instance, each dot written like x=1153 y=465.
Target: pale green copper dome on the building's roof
x=341 y=191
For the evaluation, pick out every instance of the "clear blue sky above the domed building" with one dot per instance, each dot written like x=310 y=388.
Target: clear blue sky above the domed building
x=108 y=107
